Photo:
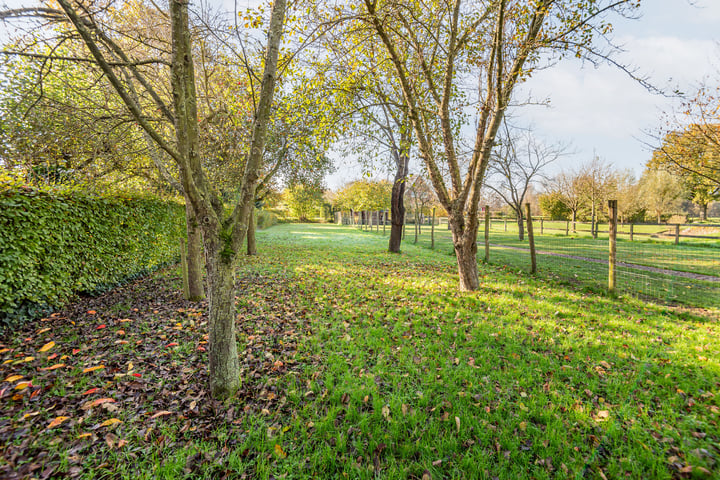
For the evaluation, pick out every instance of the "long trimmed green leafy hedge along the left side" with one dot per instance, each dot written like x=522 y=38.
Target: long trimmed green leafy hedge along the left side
x=57 y=242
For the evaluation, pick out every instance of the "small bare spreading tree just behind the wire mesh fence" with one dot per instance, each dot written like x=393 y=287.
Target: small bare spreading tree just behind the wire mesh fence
x=518 y=159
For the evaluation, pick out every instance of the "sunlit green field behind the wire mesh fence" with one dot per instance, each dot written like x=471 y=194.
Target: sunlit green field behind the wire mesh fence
x=699 y=258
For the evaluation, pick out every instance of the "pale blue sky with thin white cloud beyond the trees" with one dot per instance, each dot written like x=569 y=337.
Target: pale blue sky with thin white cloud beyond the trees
x=602 y=111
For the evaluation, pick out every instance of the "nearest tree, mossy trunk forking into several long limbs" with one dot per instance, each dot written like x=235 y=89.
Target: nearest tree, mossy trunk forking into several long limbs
x=222 y=234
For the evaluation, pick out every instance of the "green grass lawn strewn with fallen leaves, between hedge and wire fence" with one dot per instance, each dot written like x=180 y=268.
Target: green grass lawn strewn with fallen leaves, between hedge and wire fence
x=362 y=364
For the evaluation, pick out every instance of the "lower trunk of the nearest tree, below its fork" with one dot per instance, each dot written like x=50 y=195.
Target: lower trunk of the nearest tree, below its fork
x=224 y=374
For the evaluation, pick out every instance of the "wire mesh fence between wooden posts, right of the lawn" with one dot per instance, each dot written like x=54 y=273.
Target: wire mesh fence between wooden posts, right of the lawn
x=667 y=263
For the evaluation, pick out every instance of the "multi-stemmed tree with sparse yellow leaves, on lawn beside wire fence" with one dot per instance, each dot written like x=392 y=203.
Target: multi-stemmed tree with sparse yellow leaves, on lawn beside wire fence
x=433 y=47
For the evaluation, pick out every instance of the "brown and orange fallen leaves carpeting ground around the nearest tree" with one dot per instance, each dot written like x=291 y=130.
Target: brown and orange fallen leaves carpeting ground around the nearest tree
x=133 y=359
